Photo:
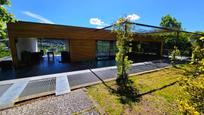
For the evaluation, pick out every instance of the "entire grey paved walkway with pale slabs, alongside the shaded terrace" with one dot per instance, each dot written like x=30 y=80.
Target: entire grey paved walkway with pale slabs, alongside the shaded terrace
x=61 y=83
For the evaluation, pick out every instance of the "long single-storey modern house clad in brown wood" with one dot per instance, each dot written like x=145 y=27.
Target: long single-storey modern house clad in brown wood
x=81 y=43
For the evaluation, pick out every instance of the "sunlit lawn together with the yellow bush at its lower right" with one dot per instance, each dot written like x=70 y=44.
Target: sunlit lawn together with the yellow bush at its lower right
x=160 y=92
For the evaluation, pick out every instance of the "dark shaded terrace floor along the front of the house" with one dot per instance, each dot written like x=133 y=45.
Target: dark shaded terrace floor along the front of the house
x=46 y=67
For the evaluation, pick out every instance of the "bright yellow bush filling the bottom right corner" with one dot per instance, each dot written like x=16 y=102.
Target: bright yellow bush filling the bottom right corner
x=193 y=103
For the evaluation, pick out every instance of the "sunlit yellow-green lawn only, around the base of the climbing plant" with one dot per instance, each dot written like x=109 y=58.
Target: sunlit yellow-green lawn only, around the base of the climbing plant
x=158 y=96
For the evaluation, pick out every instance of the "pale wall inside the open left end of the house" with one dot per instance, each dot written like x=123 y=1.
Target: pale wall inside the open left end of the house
x=25 y=44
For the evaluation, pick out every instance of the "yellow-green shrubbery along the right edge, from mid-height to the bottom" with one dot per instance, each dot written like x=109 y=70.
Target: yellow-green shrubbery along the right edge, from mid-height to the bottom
x=193 y=87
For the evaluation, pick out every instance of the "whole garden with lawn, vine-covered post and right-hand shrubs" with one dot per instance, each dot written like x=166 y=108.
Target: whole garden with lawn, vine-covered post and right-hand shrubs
x=178 y=89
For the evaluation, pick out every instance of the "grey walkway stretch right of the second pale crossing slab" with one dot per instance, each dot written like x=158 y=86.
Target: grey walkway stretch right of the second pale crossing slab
x=88 y=77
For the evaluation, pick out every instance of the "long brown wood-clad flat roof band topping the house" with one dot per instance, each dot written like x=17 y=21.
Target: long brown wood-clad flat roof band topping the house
x=22 y=29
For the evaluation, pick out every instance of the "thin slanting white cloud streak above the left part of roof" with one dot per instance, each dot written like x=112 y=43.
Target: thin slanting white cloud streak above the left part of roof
x=38 y=17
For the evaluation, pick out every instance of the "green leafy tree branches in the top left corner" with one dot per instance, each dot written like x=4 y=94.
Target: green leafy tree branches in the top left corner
x=5 y=17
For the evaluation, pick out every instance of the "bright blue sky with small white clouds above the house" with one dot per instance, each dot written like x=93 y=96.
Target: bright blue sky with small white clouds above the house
x=99 y=13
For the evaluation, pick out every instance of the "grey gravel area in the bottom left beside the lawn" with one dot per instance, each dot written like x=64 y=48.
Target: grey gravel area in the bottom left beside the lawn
x=75 y=102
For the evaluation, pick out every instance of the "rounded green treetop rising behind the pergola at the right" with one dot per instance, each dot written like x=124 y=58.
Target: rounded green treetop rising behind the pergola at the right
x=170 y=22
